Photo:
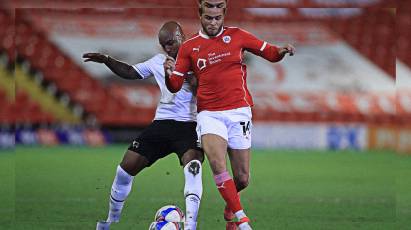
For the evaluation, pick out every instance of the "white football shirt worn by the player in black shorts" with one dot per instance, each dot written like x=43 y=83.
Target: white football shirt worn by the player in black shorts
x=180 y=106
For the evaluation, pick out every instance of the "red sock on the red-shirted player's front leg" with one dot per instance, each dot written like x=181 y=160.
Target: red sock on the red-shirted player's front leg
x=228 y=191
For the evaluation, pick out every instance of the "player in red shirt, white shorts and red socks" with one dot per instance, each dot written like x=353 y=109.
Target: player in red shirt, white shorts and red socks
x=224 y=103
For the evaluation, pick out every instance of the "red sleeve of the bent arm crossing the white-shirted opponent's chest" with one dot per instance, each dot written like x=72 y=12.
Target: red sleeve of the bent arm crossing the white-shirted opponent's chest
x=183 y=65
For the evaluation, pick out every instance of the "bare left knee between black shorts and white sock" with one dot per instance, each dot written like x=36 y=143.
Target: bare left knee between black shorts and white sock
x=133 y=162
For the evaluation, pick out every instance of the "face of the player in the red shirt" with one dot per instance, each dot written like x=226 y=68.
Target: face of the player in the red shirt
x=212 y=20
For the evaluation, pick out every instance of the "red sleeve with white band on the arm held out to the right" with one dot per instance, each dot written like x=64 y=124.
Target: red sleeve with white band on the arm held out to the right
x=259 y=47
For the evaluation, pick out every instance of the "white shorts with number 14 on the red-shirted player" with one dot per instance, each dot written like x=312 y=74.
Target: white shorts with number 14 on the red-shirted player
x=233 y=125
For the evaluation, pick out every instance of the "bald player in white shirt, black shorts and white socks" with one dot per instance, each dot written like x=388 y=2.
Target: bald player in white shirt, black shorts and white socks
x=172 y=130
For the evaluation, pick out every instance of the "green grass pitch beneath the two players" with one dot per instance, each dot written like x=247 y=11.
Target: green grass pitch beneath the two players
x=68 y=188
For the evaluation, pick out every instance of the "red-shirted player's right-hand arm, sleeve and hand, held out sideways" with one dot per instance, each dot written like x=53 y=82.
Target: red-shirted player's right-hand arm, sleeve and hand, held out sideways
x=264 y=49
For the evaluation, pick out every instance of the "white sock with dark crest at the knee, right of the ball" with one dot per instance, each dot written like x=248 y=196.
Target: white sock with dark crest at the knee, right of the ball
x=193 y=190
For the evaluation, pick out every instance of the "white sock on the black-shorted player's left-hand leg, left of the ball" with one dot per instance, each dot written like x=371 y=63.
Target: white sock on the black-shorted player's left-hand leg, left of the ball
x=119 y=191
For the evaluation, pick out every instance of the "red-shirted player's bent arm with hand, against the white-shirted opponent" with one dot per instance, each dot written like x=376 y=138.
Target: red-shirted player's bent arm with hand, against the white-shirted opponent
x=175 y=71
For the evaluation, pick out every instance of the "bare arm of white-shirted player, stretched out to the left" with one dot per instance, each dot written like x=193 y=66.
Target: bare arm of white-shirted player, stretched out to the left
x=120 y=68
